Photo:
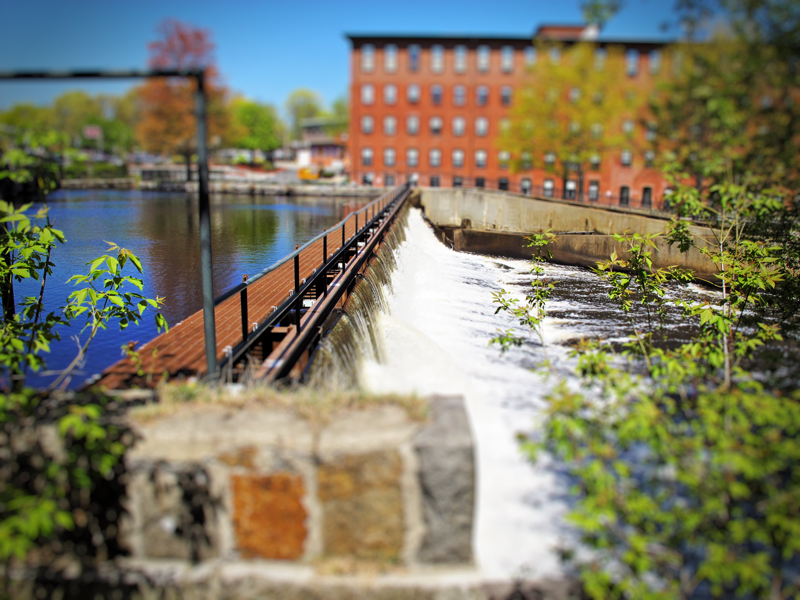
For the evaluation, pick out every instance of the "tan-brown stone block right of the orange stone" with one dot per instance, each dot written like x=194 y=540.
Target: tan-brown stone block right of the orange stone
x=362 y=505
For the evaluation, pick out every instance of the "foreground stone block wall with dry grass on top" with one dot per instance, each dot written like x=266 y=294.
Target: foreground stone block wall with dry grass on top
x=238 y=484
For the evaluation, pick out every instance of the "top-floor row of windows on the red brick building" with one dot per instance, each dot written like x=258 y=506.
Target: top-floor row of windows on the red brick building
x=483 y=58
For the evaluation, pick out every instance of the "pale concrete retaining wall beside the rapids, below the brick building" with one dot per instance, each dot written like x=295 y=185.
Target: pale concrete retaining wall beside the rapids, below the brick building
x=492 y=222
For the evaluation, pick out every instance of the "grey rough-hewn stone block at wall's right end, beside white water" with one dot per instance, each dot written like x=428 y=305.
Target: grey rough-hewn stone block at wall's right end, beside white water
x=445 y=455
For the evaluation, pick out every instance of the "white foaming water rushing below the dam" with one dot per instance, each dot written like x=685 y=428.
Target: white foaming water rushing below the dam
x=435 y=338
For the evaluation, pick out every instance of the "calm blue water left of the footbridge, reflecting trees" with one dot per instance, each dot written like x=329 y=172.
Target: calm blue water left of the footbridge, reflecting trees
x=249 y=233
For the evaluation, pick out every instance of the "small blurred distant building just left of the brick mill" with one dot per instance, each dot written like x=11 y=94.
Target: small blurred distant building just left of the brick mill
x=323 y=145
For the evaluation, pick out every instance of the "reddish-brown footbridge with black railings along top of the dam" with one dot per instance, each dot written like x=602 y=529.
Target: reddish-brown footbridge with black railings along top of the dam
x=270 y=324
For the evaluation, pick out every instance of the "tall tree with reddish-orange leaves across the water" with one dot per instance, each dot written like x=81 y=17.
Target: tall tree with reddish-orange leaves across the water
x=167 y=124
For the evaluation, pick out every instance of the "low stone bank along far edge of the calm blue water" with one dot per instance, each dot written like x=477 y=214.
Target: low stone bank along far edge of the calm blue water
x=222 y=187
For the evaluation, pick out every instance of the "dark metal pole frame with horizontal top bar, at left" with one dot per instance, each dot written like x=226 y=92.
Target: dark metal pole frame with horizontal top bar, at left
x=202 y=164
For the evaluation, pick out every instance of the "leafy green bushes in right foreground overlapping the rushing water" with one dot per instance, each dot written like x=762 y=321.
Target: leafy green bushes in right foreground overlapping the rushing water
x=685 y=466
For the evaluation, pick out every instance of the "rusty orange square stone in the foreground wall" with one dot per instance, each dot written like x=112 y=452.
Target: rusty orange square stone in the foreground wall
x=268 y=515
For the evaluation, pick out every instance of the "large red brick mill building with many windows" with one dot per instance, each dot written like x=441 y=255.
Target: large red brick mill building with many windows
x=430 y=108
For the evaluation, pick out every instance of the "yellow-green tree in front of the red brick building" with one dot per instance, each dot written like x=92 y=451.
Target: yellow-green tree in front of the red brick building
x=570 y=110
